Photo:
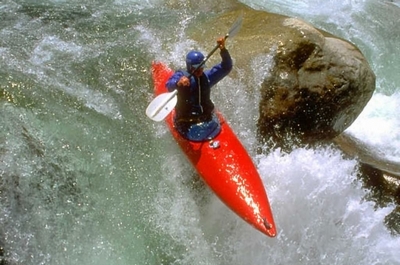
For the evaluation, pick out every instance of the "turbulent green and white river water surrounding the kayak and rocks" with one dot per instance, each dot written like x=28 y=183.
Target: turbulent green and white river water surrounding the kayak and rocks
x=87 y=178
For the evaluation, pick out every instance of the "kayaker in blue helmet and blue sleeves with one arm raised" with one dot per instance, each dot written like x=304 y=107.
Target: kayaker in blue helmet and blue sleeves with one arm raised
x=194 y=111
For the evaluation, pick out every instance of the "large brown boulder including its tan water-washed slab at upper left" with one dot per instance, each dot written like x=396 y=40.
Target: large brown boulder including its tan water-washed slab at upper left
x=314 y=86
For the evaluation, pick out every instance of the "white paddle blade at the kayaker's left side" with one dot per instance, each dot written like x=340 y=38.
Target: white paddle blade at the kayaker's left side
x=161 y=106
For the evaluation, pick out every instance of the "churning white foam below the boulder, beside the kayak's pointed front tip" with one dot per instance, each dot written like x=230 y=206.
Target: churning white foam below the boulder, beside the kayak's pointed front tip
x=319 y=213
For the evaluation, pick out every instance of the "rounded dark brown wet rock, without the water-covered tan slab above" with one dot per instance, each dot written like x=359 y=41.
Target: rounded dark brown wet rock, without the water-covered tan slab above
x=315 y=91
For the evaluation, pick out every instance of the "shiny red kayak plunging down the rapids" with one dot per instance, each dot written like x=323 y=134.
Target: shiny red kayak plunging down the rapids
x=224 y=165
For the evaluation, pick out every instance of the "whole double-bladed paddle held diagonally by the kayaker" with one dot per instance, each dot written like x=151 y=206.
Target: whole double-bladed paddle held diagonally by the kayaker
x=163 y=104
